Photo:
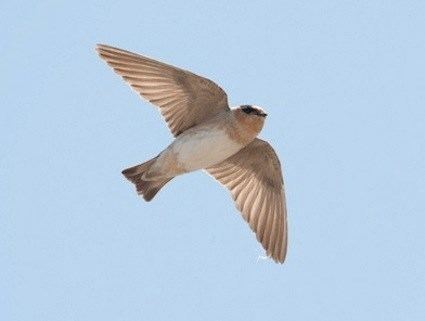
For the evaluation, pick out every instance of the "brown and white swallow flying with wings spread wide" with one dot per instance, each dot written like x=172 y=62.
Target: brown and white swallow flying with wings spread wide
x=208 y=136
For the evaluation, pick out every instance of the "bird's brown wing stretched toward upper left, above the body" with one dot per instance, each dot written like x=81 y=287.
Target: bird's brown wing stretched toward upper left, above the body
x=184 y=99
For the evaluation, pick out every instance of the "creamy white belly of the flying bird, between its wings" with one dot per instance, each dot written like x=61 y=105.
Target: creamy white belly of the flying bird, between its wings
x=203 y=149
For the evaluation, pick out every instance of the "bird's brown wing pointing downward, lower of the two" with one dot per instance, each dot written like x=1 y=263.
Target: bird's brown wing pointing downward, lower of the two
x=254 y=178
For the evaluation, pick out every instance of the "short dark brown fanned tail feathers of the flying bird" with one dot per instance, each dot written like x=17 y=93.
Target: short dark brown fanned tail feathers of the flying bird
x=147 y=189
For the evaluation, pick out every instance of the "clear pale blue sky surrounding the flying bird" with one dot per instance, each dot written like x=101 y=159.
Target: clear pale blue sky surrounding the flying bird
x=344 y=85
